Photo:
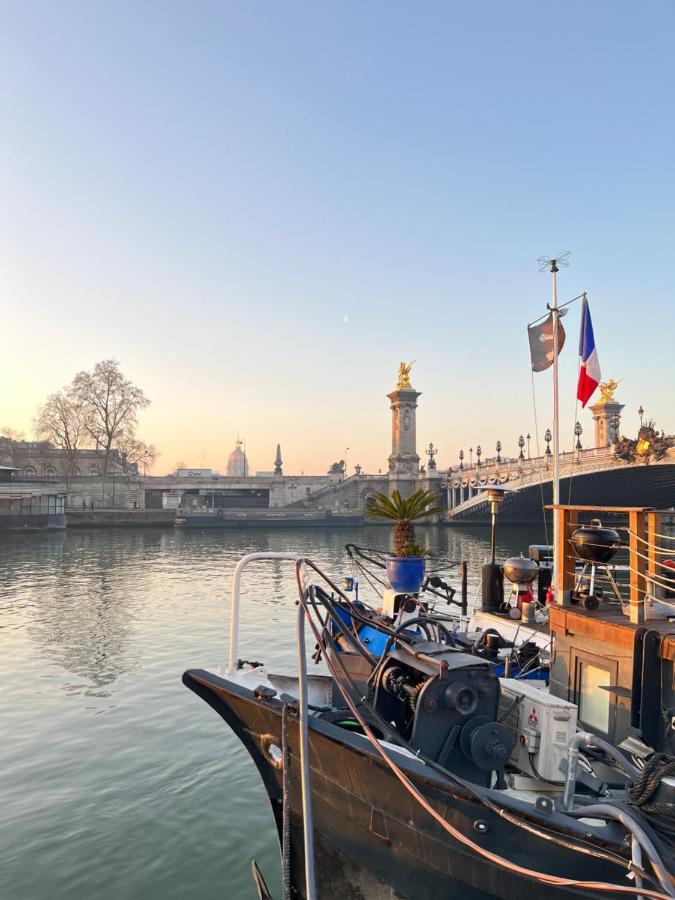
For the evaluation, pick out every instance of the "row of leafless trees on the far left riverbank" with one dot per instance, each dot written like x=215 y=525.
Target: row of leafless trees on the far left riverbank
x=97 y=410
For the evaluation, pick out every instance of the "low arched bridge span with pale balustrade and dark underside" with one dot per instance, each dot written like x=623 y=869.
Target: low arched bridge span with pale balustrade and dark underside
x=587 y=477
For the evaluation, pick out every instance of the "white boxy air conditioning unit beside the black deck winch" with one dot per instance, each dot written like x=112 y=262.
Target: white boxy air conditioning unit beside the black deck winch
x=542 y=726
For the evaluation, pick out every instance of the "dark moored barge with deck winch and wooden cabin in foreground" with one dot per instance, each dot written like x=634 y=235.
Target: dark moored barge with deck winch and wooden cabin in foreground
x=412 y=769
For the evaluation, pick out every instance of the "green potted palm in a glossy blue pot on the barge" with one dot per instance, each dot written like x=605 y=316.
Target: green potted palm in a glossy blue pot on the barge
x=405 y=569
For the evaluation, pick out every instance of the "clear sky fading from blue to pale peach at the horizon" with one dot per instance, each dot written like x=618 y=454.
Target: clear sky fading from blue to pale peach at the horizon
x=261 y=209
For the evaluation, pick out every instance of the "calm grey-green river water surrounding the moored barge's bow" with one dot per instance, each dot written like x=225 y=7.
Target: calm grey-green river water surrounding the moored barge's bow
x=116 y=781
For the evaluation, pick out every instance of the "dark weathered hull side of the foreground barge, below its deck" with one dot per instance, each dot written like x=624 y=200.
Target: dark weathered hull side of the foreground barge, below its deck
x=373 y=840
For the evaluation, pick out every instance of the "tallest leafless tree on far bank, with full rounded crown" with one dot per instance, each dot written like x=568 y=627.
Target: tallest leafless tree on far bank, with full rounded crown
x=110 y=404
